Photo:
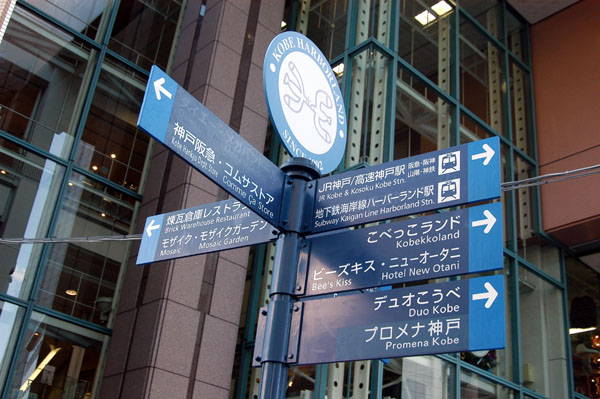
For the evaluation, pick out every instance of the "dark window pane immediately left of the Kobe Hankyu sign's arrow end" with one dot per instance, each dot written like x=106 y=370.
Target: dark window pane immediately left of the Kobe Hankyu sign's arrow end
x=112 y=146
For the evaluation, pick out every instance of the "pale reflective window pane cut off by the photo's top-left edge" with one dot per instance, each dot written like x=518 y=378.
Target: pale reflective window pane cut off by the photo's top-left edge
x=83 y=16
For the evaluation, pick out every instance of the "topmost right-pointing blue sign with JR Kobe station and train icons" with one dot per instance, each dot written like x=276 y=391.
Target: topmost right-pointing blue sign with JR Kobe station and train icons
x=450 y=177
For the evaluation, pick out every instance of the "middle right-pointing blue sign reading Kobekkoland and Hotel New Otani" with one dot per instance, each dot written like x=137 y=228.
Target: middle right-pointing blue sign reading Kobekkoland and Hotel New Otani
x=440 y=245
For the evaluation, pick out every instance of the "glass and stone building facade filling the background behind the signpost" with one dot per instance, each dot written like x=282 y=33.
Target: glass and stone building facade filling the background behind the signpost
x=78 y=318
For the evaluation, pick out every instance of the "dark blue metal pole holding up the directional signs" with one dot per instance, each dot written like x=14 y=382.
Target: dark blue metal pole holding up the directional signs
x=275 y=356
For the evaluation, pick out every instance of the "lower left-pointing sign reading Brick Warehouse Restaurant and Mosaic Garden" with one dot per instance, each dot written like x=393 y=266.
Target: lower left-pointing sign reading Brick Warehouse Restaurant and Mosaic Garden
x=208 y=228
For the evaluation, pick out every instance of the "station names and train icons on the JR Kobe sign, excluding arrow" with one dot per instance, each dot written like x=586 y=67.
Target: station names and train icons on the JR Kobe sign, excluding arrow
x=404 y=186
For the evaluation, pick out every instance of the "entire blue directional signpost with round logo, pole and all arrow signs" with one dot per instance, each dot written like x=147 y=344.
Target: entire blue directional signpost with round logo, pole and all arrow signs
x=300 y=210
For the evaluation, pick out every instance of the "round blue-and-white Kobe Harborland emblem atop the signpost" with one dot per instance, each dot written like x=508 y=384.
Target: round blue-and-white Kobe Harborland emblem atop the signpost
x=305 y=101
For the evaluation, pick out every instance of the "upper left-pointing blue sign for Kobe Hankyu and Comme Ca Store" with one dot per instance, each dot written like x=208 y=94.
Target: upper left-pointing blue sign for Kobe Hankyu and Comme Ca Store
x=176 y=119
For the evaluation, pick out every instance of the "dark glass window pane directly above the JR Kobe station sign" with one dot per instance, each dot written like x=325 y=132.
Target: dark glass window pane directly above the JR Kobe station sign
x=423 y=119
